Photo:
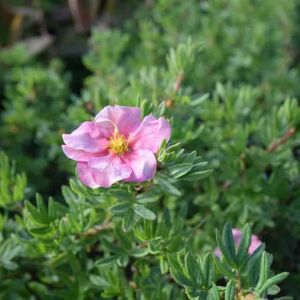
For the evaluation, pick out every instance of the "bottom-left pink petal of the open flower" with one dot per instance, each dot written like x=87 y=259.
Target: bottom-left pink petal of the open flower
x=108 y=169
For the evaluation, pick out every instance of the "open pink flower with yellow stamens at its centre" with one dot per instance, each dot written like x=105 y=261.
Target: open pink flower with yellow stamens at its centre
x=116 y=145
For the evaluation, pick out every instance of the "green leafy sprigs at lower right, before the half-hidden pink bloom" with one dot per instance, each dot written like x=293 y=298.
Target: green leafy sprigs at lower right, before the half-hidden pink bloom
x=246 y=275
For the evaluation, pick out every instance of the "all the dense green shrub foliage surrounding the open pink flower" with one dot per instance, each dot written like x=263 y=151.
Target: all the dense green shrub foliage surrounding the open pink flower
x=226 y=76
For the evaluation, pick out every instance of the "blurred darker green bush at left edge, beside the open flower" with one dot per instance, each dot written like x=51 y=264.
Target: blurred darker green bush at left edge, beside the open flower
x=35 y=98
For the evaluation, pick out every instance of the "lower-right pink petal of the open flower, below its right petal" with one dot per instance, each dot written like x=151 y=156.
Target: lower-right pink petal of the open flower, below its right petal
x=142 y=164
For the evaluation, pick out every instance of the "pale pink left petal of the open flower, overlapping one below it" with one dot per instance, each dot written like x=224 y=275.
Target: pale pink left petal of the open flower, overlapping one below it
x=86 y=137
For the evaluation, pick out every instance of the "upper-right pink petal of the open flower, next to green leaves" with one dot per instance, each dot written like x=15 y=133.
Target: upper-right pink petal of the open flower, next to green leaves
x=150 y=134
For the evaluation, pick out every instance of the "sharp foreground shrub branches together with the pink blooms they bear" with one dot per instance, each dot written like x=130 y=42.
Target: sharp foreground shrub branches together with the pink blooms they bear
x=123 y=230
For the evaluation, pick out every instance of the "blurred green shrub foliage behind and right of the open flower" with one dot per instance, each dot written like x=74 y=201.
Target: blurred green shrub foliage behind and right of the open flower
x=246 y=129
